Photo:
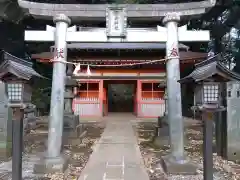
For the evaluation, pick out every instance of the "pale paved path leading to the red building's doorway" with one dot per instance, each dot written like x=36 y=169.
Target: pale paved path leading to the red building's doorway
x=116 y=156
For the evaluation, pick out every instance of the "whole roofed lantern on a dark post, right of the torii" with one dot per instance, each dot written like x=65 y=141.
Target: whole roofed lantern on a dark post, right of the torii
x=208 y=78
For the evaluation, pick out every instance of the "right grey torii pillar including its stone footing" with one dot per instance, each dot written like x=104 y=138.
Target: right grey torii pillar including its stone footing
x=177 y=161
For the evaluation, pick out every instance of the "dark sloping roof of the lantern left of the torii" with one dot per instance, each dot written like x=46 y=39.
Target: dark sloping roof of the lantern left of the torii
x=16 y=66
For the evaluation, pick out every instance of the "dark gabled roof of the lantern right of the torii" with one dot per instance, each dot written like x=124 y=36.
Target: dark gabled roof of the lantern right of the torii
x=209 y=68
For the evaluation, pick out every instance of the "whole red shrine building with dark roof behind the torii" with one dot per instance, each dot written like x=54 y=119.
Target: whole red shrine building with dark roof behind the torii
x=125 y=77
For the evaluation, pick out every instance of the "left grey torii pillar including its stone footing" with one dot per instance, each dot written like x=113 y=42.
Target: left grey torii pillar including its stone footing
x=53 y=160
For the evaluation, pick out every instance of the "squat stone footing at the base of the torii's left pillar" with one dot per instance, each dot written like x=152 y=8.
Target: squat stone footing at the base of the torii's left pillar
x=51 y=165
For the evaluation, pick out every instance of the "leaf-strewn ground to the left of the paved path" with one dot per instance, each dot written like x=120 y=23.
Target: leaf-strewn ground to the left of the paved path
x=35 y=143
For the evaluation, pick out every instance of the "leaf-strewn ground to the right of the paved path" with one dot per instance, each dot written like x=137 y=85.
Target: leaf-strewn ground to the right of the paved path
x=224 y=170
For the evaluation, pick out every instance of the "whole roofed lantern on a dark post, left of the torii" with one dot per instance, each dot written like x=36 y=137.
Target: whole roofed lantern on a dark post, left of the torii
x=16 y=74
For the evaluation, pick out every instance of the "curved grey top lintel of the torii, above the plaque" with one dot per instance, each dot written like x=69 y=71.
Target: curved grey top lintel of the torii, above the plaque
x=78 y=12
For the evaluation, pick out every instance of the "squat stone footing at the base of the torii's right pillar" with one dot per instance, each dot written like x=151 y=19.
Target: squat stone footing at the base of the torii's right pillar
x=183 y=167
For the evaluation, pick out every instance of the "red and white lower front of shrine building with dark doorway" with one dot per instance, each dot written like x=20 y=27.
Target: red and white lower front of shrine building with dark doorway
x=100 y=99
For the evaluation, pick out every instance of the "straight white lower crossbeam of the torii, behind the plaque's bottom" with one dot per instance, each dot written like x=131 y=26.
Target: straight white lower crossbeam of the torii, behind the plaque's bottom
x=133 y=35
